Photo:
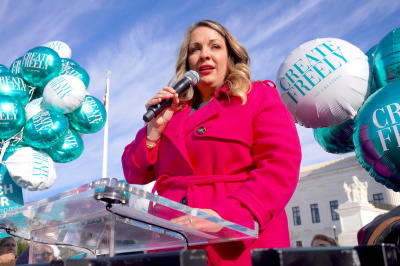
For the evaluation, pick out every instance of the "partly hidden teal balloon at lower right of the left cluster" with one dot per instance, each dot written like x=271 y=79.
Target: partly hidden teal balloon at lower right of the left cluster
x=69 y=148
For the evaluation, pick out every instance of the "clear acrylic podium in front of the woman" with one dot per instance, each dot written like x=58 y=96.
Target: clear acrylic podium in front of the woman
x=108 y=217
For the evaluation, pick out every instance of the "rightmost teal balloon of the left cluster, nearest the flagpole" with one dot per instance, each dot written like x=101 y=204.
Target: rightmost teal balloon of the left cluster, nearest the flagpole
x=90 y=117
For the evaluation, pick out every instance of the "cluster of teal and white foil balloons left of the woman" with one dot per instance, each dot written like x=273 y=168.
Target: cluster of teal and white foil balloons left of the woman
x=44 y=111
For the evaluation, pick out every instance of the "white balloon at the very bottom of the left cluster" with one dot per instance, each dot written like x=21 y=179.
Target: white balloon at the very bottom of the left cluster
x=31 y=169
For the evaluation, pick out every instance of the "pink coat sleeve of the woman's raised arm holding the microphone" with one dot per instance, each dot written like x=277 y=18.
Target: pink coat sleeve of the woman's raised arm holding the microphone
x=138 y=160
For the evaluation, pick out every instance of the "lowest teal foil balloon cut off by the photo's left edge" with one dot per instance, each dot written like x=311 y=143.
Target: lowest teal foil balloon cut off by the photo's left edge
x=12 y=117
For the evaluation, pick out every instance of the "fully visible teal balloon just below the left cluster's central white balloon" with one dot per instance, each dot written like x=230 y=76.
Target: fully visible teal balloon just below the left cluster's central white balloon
x=45 y=129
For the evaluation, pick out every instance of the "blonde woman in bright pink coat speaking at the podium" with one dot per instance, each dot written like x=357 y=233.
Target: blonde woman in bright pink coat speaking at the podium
x=227 y=146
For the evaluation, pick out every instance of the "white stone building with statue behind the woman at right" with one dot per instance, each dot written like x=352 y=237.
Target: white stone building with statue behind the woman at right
x=321 y=204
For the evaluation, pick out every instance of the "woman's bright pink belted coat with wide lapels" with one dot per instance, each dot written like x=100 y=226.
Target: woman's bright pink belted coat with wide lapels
x=242 y=161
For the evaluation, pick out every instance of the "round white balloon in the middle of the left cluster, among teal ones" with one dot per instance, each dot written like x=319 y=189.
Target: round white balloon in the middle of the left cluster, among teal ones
x=64 y=94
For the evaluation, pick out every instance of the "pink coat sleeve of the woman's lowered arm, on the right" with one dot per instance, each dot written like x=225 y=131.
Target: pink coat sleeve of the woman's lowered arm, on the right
x=277 y=155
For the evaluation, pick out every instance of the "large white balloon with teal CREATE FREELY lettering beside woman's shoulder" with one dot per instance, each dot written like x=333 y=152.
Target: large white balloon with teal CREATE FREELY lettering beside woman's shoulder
x=324 y=82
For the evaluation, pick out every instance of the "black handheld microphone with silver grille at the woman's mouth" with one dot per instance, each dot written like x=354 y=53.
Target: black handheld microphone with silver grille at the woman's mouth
x=190 y=79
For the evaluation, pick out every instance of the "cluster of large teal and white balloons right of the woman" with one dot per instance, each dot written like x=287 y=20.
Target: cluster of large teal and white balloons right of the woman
x=351 y=100
